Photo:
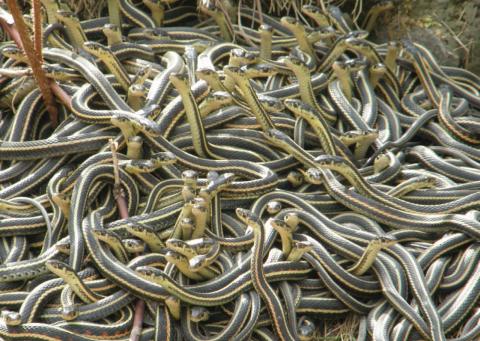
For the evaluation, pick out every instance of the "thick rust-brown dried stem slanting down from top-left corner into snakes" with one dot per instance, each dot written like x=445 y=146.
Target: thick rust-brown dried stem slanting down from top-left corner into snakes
x=35 y=62
